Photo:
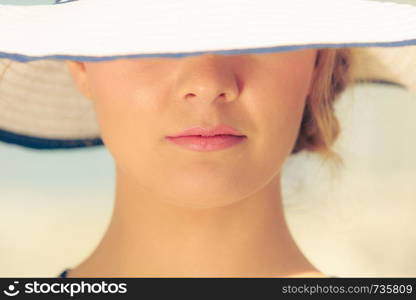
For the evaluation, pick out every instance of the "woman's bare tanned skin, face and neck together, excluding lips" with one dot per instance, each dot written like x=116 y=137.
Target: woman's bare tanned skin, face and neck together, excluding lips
x=182 y=213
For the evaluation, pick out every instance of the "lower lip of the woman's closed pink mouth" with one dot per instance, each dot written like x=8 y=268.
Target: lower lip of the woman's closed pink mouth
x=206 y=143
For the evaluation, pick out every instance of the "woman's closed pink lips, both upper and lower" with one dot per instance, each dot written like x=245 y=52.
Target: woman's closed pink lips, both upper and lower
x=207 y=139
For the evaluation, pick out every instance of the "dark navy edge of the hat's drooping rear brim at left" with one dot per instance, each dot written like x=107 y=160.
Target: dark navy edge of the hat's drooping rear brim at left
x=46 y=144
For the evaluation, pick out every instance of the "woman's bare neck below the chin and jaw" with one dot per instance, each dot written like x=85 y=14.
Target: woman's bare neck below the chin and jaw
x=147 y=237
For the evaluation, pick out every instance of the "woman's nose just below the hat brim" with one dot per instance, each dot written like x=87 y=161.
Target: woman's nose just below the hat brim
x=205 y=79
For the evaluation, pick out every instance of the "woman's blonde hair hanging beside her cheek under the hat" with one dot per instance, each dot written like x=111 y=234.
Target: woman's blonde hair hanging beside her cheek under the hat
x=320 y=128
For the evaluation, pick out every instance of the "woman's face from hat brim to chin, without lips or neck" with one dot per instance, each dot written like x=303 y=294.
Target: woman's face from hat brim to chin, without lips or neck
x=139 y=102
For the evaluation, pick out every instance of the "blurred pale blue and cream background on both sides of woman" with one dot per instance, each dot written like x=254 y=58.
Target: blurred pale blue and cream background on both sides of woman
x=356 y=221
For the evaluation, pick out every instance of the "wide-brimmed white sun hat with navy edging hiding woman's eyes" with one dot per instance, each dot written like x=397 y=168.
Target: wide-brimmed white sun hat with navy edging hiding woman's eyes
x=41 y=108
